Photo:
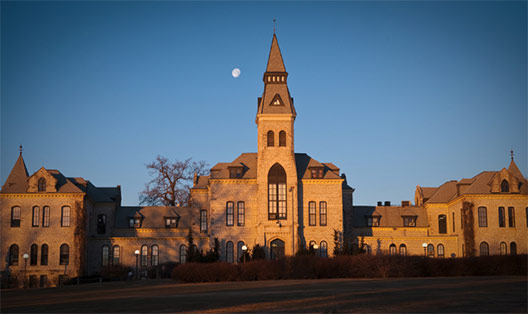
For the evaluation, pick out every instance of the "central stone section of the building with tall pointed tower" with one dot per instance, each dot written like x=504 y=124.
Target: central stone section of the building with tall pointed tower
x=276 y=198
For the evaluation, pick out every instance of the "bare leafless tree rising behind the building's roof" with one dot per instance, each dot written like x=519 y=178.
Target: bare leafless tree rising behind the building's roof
x=172 y=181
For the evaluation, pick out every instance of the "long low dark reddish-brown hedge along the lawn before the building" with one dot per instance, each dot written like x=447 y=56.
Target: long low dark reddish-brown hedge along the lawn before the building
x=358 y=266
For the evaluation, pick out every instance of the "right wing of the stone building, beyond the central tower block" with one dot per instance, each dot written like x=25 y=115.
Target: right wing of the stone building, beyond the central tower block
x=483 y=215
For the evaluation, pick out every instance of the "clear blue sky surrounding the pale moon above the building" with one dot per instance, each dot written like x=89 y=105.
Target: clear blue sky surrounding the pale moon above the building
x=397 y=94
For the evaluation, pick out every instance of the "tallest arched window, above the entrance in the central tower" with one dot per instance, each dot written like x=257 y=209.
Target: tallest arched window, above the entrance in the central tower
x=276 y=193
